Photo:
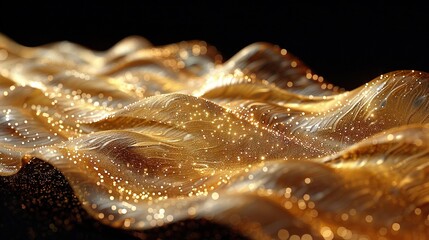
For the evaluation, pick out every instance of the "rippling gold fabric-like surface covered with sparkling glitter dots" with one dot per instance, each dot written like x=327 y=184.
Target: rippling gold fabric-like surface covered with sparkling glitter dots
x=152 y=135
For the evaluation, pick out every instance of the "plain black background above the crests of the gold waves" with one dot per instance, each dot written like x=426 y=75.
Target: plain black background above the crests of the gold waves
x=347 y=43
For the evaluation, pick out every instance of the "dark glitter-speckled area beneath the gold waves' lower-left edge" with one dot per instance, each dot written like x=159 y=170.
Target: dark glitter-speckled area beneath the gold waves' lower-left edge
x=38 y=203
